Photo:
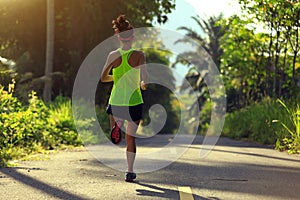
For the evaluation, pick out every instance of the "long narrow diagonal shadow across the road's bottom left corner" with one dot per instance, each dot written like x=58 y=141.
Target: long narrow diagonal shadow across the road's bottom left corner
x=39 y=185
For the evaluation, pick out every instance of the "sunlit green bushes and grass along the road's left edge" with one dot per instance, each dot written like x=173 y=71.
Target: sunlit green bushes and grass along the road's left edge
x=33 y=130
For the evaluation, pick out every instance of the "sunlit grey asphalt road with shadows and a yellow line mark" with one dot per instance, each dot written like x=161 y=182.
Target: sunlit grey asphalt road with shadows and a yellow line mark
x=232 y=170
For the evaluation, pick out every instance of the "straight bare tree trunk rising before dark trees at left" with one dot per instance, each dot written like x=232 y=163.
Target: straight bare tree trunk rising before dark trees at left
x=49 y=51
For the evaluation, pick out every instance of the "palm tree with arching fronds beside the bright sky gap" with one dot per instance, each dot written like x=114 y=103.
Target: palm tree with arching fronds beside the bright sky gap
x=209 y=40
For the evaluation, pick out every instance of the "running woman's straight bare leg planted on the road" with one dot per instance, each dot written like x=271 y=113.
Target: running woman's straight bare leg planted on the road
x=130 y=141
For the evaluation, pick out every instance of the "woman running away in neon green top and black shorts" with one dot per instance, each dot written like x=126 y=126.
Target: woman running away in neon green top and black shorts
x=129 y=76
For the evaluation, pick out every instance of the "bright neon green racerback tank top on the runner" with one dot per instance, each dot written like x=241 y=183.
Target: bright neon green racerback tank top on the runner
x=126 y=87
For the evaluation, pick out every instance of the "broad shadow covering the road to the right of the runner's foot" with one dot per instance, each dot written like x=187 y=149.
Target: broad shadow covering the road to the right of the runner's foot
x=232 y=178
